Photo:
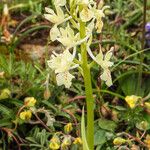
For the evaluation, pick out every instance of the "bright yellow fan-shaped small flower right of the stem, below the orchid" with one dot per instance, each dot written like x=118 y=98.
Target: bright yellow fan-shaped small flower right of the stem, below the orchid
x=132 y=100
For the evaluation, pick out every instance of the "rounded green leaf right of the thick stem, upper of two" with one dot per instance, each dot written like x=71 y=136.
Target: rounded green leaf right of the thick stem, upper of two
x=107 y=125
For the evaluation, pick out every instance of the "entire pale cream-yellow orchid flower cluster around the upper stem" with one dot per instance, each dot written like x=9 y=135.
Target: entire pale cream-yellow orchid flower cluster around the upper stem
x=87 y=12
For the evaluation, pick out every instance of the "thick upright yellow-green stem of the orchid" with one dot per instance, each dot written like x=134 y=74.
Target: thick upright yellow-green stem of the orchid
x=88 y=90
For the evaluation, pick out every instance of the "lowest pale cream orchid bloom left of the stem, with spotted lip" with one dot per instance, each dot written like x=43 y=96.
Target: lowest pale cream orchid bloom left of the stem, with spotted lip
x=61 y=64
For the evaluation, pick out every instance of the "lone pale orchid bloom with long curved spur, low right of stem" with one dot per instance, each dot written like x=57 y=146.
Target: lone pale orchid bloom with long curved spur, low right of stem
x=104 y=62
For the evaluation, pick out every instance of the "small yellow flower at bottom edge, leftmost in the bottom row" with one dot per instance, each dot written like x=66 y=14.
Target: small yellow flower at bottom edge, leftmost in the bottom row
x=54 y=143
